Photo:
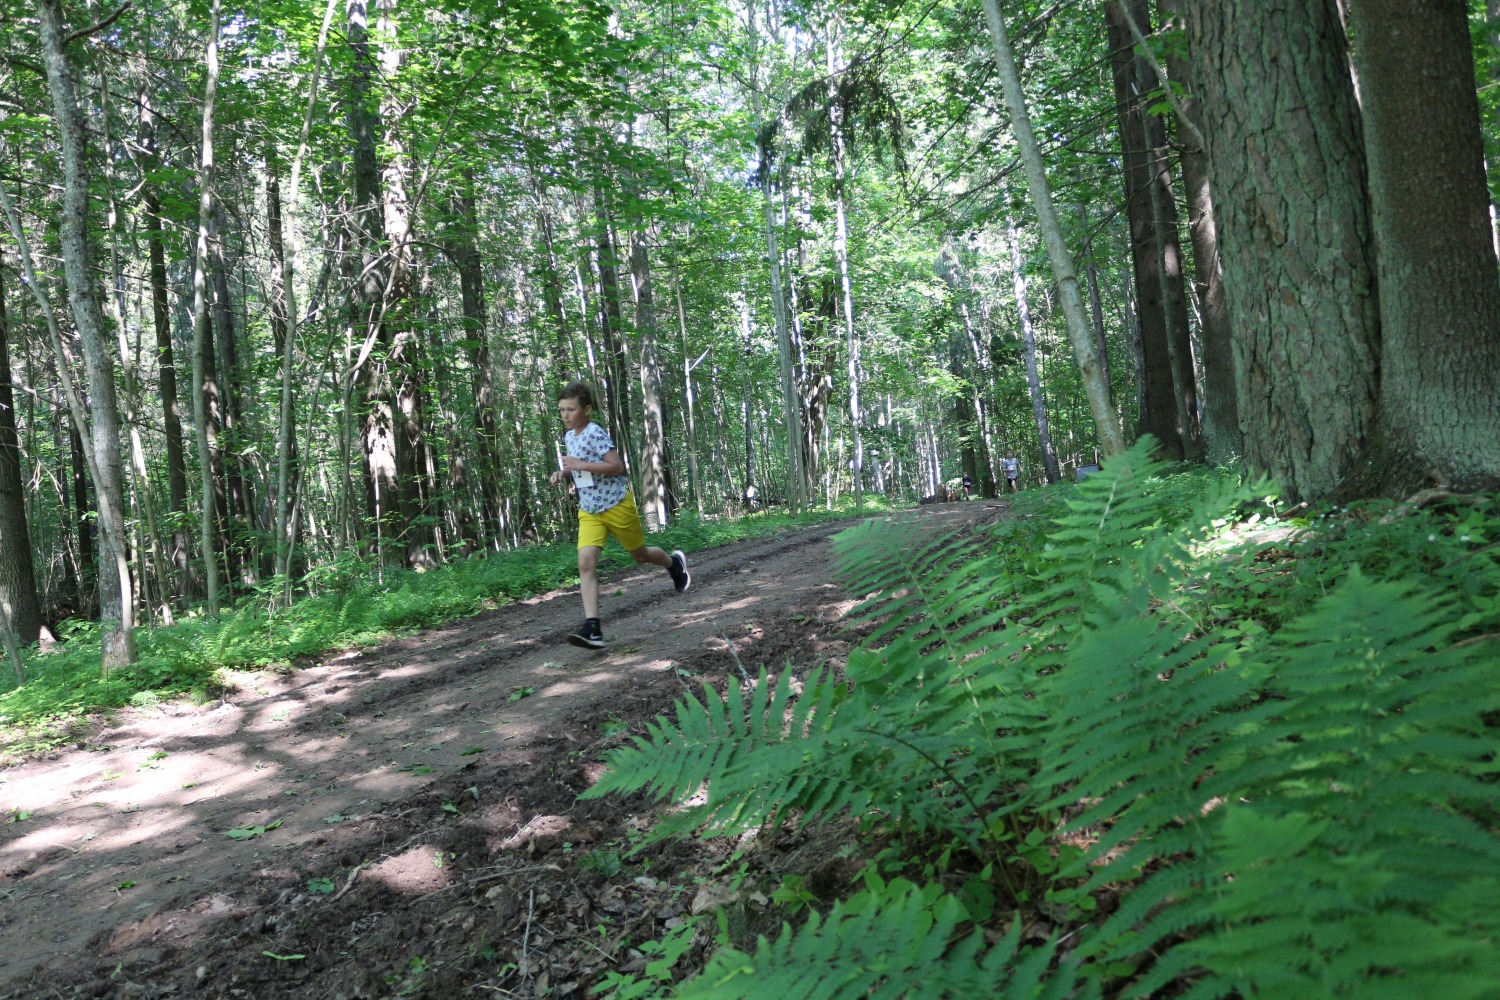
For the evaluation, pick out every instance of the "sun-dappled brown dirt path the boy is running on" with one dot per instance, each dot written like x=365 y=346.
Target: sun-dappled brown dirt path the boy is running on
x=431 y=782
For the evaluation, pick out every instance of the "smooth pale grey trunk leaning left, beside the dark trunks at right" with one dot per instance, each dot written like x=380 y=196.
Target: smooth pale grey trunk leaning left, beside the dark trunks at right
x=1112 y=437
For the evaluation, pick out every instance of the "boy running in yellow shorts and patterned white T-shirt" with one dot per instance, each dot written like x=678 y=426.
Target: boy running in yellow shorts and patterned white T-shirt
x=605 y=507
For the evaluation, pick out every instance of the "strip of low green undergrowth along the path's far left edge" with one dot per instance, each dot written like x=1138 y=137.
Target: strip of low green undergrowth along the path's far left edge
x=350 y=606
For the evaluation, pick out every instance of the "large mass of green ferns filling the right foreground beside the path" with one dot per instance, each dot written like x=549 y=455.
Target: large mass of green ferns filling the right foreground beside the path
x=1147 y=738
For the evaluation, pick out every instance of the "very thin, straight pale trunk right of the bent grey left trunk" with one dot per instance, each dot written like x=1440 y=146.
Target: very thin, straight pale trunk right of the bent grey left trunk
x=200 y=319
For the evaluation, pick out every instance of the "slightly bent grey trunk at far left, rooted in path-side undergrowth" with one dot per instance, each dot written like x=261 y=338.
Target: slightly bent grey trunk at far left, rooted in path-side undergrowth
x=116 y=593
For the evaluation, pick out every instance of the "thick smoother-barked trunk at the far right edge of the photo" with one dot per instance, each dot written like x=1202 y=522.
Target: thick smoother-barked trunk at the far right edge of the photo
x=1430 y=206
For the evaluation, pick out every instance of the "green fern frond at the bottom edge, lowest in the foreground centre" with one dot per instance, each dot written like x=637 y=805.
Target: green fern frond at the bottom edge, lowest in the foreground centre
x=890 y=942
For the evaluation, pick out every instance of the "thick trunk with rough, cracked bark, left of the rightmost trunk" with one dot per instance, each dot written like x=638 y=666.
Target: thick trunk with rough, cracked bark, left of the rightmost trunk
x=1288 y=167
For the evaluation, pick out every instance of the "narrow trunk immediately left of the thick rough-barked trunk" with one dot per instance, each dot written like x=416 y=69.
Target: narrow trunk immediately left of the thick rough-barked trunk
x=1222 y=436
